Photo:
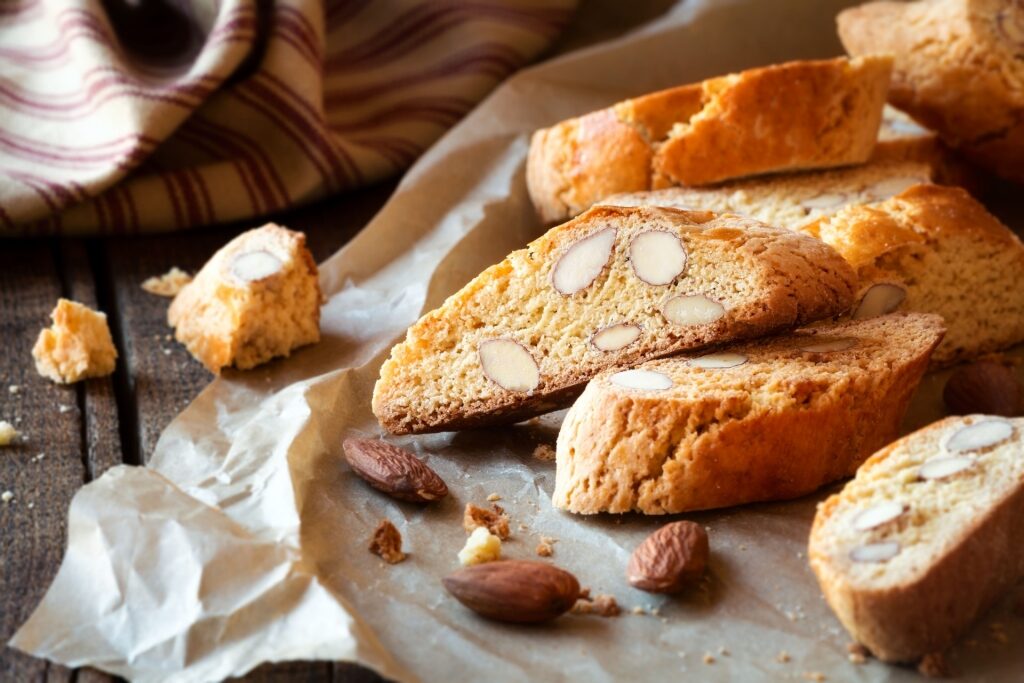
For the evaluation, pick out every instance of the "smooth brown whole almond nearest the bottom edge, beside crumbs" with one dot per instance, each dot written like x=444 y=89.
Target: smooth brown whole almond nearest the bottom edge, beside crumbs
x=518 y=591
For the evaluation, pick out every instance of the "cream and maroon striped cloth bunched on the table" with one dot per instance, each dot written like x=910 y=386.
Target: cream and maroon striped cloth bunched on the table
x=130 y=116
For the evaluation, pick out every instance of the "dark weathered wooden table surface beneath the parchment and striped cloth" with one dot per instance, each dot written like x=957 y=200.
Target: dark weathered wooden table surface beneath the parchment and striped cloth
x=77 y=433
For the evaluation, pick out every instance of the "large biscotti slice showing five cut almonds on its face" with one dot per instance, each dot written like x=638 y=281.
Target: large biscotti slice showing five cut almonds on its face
x=615 y=287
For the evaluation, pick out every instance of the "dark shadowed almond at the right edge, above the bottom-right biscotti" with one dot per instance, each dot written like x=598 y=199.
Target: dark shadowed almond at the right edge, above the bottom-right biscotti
x=986 y=388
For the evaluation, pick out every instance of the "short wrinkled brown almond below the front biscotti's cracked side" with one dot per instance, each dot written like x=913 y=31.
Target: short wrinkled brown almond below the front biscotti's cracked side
x=670 y=560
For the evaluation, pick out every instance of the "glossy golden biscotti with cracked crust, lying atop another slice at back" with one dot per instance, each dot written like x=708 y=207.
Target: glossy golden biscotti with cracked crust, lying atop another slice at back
x=800 y=115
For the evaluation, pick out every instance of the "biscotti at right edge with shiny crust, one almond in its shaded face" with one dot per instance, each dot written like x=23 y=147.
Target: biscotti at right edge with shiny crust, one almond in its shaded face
x=935 y=249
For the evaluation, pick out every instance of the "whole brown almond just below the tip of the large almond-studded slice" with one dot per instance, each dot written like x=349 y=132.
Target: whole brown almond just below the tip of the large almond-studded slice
x=395 y=472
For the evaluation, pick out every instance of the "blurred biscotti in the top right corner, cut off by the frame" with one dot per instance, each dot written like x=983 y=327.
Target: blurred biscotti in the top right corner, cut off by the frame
x=957 y=70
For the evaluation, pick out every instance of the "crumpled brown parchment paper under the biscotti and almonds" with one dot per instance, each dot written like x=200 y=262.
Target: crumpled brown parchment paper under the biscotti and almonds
x=245 y=540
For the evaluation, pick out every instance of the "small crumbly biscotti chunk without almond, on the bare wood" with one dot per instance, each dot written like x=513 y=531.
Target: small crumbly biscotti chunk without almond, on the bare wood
x=77 y=347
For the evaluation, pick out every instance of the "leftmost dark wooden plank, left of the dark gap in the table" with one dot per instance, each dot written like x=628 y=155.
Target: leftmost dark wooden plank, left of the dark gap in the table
x=33 y=525
